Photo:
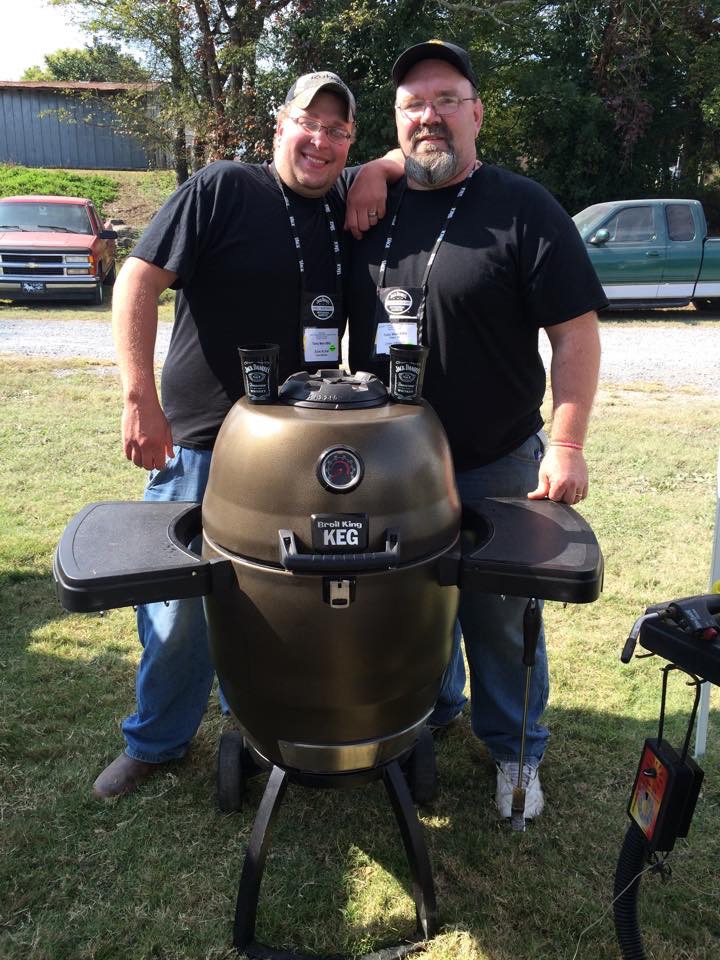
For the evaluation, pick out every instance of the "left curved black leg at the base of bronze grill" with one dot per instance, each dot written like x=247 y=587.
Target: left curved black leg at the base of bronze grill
x=251 y=877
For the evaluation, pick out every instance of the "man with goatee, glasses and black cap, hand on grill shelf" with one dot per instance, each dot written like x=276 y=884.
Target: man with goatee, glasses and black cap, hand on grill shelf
x=472 y=261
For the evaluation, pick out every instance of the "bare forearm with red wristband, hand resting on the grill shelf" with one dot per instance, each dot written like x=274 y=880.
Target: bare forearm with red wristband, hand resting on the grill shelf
x=574 y=373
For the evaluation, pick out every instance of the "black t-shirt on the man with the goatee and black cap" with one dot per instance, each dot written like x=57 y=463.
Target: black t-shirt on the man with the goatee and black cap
x=511 y=262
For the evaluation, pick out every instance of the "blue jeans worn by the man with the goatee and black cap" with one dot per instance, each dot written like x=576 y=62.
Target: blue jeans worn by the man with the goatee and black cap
x=492 y=628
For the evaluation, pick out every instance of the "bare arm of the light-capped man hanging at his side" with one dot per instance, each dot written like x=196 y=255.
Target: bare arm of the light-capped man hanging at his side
x=146 y=434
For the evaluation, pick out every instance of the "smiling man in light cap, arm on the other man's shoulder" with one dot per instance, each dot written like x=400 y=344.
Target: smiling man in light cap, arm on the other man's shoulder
x=249 y=250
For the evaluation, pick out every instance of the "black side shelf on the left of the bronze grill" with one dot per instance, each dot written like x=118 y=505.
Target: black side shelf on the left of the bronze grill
x=117 y=554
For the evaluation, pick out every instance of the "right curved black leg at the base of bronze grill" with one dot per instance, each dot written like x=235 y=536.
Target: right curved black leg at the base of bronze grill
x=414 y=843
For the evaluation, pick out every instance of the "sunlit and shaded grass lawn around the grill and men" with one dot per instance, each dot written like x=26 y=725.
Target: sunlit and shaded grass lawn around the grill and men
x=155 y=875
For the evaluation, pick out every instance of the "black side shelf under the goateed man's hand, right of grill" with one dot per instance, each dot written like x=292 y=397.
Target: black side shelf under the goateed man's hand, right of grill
x=532 y=548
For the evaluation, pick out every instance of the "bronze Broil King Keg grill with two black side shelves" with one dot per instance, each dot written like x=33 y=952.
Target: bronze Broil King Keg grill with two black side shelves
x=330 y=568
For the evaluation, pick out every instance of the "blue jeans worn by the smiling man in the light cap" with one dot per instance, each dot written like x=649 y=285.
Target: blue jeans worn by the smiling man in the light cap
x=175 y=674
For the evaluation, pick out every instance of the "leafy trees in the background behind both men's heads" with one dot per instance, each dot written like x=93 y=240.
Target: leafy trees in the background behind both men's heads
x=597 y=99
